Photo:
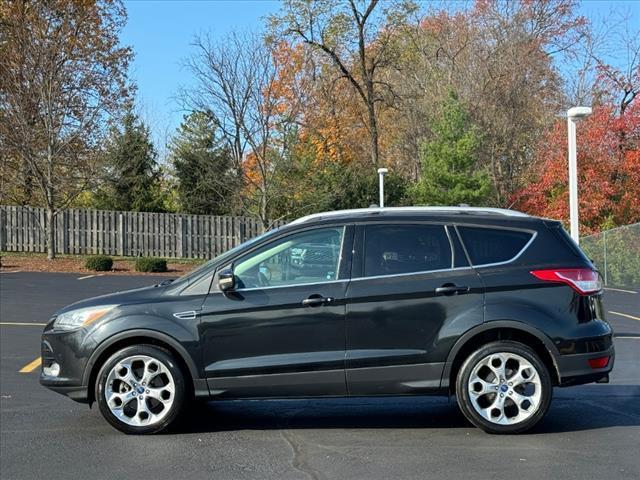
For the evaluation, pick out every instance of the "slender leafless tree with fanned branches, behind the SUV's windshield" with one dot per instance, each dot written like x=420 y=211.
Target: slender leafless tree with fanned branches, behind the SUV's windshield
x=235 y=86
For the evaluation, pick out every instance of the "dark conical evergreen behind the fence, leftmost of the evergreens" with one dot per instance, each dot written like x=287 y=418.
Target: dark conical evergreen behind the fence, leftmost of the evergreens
x=132 y=180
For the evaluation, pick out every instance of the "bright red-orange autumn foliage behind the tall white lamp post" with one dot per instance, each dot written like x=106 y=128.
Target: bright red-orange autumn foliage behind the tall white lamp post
x=608 y=171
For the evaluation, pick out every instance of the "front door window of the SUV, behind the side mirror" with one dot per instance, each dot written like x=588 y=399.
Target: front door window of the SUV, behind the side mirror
x=305 y=257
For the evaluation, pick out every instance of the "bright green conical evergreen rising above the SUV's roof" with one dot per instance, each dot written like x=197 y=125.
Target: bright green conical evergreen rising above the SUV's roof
x=450 y=171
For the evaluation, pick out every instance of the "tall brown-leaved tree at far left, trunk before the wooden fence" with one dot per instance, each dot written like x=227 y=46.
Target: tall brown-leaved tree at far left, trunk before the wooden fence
x=62 y=74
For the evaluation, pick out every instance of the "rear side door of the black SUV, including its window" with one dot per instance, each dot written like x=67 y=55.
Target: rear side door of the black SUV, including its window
x=413 y=296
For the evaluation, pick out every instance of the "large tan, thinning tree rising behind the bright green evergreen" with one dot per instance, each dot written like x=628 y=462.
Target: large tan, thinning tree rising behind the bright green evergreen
x=498 y=57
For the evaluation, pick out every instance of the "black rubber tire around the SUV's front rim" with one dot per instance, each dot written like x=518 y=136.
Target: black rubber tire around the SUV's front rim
x=178 y=396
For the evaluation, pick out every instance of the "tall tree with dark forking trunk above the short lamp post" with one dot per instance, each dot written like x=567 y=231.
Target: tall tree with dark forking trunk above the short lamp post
x=357 y=37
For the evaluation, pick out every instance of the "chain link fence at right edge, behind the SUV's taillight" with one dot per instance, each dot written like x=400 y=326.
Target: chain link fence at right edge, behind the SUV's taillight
x=616 y=253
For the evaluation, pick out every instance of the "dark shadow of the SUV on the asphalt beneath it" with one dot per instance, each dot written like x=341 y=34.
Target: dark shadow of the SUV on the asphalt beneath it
x=585 y=408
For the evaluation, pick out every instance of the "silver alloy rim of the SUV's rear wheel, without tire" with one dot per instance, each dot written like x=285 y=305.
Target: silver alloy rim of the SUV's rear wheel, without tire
x=505 y=388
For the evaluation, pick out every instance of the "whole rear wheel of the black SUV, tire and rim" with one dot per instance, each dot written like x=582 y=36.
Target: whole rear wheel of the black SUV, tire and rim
x=503 y=387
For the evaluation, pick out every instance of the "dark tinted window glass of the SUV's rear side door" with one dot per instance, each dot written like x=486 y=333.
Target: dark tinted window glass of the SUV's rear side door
x=396 y=249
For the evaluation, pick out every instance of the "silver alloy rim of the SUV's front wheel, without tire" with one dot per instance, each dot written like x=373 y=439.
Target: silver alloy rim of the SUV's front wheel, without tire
x=139 y=390
